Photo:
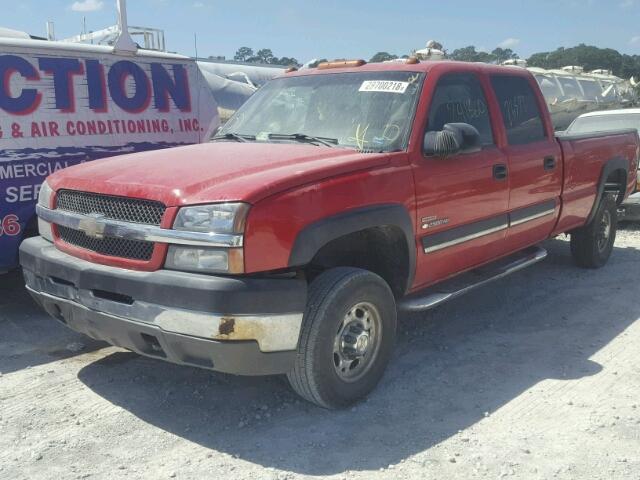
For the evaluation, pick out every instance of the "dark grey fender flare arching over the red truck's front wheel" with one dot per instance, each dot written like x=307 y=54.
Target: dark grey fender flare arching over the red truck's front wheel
x=316 y=235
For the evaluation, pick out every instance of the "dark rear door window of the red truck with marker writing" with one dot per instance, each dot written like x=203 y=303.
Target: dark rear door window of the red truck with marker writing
x=520 y=111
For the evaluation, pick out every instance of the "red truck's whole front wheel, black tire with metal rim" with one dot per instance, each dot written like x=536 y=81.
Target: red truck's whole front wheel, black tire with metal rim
x=342 y=303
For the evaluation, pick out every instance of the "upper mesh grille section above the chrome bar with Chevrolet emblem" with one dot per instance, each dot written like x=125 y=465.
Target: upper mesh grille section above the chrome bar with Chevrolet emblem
x=125 y=209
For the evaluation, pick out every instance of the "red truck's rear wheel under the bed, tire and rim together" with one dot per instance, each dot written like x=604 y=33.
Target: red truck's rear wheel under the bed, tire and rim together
x=591 y=245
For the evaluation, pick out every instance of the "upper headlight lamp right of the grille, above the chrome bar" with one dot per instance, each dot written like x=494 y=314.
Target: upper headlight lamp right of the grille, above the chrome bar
x=217 y=218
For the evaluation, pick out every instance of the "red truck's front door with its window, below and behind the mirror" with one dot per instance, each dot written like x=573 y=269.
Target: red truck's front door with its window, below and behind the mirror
x=462 y=200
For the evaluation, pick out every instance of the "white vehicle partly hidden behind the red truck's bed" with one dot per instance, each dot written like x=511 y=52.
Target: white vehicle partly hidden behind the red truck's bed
x=607 y=121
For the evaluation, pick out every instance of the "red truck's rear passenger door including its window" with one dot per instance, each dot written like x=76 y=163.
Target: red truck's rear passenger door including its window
x=535 y=161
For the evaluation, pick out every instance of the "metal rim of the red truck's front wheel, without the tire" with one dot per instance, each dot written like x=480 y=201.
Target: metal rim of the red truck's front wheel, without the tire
x=357 y=342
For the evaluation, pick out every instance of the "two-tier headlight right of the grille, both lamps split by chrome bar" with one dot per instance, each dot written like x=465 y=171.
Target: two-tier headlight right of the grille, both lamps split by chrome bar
x=224 y=218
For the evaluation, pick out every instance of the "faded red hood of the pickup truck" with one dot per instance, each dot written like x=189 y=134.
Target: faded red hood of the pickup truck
x=214 y=172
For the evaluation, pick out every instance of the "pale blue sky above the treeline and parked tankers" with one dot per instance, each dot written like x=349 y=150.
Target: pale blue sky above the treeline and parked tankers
x=347 y=28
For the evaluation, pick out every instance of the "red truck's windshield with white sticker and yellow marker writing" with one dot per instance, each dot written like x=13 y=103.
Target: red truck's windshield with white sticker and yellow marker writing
x=368 y=111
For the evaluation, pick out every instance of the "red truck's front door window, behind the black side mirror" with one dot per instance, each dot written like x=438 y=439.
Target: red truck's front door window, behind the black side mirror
x=459 y=98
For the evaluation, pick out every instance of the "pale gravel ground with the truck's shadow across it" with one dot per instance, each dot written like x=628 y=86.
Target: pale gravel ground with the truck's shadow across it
x=535 y=376
